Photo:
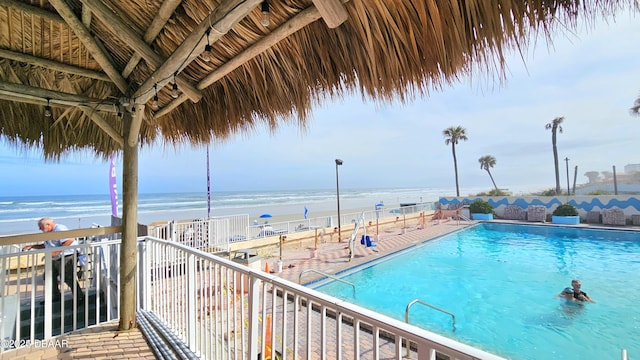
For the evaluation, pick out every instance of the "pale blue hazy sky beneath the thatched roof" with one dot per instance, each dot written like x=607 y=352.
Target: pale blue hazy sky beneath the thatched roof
x=591 y=78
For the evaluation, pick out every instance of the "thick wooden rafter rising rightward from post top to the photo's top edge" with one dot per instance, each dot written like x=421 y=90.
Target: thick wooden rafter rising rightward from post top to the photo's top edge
x=222 y=19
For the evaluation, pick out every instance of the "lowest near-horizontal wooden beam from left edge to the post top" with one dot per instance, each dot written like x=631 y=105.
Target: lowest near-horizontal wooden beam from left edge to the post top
x=35 y=95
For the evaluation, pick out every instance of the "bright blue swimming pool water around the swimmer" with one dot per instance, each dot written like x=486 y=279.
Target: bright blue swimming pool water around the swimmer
x=500 y=281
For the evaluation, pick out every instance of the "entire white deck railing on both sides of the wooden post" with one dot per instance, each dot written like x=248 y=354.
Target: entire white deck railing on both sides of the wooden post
x=217 y=307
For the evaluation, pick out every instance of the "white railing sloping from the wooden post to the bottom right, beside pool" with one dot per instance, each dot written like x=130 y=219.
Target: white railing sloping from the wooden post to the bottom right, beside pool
x=223 y=309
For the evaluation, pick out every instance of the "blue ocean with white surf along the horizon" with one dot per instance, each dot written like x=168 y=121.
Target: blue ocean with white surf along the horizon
x=19 y=214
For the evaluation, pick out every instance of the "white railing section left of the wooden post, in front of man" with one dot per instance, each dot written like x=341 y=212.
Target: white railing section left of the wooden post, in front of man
x=27 y=307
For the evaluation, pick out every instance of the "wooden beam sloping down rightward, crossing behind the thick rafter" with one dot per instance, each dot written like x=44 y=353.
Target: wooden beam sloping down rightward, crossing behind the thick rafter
x=131 y=38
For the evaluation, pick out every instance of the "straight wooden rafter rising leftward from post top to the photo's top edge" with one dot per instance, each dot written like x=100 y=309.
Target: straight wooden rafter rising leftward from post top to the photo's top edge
x=90 y=43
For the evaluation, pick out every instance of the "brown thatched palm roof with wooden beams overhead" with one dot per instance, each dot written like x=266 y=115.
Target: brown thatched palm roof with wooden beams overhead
x=86 y=57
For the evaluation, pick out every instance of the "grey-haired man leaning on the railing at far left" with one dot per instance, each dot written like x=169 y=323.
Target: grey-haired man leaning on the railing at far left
x=61 y=258
